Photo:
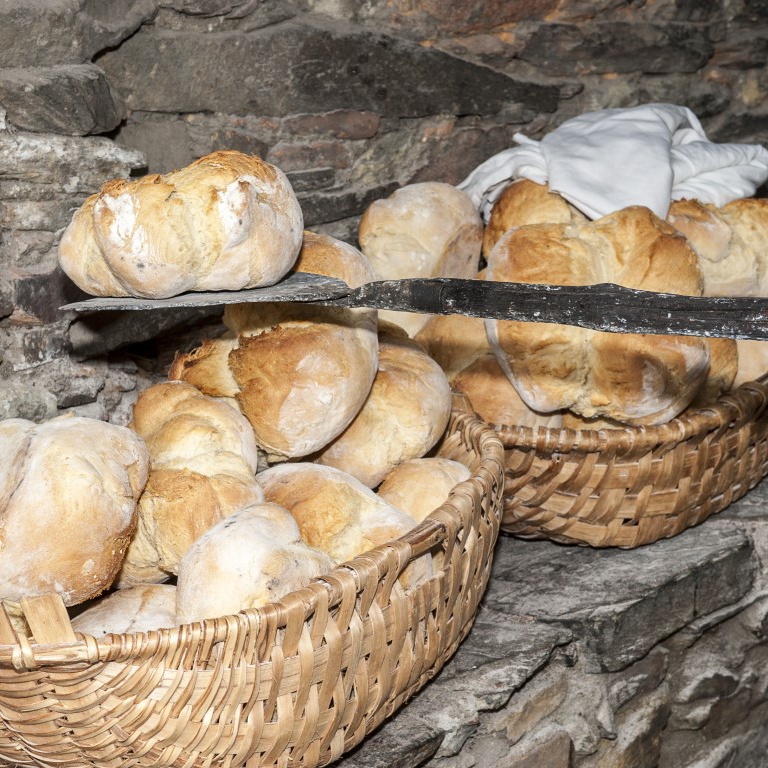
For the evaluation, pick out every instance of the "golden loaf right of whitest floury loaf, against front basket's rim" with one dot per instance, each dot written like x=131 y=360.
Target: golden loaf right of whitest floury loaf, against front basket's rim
x=335 y=512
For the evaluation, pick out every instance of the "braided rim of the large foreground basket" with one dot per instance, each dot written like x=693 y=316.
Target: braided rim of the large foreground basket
x=433 y=530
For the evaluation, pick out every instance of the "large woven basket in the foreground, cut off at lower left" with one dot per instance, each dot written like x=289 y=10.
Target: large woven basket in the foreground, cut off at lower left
x=295 y=683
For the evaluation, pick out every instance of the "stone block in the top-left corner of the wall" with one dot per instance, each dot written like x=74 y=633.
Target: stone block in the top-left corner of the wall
x=52 y=32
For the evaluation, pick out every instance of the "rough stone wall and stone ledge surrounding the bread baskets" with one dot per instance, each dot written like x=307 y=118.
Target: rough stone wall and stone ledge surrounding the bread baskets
x=580 y=658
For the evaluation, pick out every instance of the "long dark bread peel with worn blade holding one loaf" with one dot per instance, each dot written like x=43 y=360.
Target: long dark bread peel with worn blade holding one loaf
x=603 y=307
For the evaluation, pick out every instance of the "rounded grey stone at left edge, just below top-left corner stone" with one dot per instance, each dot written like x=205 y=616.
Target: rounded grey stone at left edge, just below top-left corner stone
x=74 y=100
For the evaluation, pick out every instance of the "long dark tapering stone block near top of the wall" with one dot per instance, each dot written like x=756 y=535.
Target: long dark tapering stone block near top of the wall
x=332 y=65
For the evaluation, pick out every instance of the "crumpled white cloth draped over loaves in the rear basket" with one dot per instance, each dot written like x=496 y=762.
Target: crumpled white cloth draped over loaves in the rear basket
x=607 y=160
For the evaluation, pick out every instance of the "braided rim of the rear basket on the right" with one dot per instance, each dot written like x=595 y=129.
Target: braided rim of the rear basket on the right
x=731 y=409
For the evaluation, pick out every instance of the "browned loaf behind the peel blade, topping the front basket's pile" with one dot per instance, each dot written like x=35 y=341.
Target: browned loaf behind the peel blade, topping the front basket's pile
x=299 y=372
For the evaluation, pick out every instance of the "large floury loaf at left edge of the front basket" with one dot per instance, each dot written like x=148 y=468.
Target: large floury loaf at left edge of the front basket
x=68 y=493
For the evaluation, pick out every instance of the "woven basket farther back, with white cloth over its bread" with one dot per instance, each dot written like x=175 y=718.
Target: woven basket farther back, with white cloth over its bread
x=633 y=486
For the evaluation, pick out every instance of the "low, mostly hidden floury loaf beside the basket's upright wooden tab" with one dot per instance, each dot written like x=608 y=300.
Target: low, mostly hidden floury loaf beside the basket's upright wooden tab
x=135 y=609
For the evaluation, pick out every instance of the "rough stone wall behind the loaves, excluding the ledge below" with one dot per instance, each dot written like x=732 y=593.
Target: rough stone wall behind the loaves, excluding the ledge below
x=350 y=99
